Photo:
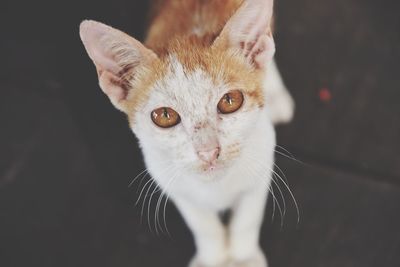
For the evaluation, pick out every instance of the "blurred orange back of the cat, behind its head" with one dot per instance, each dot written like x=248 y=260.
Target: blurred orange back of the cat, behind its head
x=175 y=19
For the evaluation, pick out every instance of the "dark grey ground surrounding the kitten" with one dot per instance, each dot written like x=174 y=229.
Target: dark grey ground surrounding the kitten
x=67 y=156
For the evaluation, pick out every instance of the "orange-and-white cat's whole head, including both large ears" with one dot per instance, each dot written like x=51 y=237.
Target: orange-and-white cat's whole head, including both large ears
x=195 y=105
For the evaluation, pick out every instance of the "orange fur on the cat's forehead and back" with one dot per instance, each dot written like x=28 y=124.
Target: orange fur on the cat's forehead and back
x=170 y=32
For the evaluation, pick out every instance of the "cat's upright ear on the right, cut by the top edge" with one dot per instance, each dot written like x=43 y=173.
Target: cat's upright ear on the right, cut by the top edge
x=250 y=31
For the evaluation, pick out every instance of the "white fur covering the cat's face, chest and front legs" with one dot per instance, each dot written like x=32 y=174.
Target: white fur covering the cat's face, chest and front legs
x=241 y=182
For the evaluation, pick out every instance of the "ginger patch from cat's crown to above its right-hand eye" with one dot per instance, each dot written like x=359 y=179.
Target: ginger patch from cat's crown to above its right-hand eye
x=226 y=66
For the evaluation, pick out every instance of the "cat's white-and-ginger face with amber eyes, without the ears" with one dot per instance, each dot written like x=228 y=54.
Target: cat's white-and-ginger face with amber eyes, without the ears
x=197 y=116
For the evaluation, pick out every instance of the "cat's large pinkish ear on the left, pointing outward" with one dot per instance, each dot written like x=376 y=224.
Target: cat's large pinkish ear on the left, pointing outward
x=117 y=58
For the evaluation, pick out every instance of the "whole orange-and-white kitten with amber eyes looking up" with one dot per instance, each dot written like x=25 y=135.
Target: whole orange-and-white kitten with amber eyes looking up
x=201 y=95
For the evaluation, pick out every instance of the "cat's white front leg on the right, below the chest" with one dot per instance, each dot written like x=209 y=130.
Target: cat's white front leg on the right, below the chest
x=244 y=230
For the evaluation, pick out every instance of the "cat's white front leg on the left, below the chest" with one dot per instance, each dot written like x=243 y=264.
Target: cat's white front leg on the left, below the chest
x=208 y=232
